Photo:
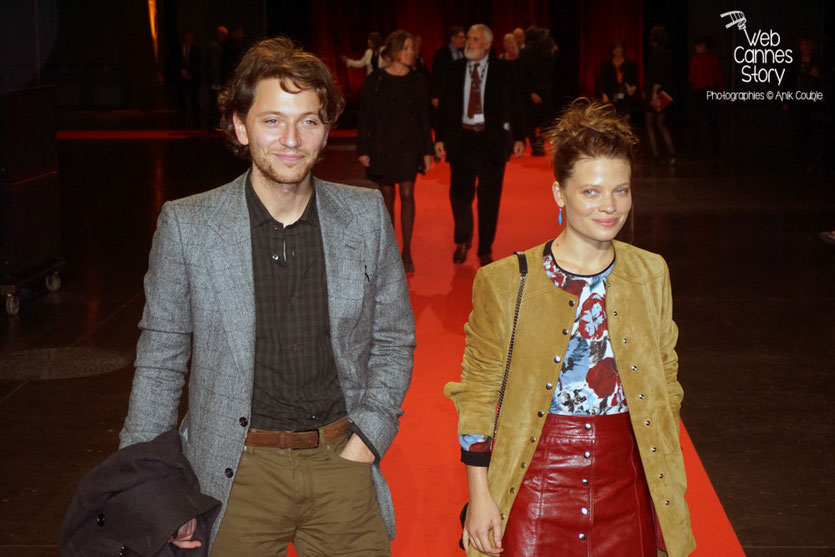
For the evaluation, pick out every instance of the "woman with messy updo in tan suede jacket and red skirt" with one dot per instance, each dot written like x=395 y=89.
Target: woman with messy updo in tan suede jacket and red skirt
x=585 y=457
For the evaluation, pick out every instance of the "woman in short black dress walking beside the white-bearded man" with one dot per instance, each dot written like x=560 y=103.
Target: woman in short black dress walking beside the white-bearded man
x=394 y=141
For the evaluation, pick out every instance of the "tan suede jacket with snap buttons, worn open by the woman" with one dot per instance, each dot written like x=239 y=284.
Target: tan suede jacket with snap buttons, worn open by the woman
x=643 y=335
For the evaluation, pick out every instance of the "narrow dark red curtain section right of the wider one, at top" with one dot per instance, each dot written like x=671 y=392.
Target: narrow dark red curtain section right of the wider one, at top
x=602 y=22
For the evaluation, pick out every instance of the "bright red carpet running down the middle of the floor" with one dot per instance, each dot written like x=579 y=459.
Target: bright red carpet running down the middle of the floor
x=427 y=480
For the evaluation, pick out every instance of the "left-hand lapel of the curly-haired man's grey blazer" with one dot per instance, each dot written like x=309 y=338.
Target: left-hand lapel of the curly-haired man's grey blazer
x=230 y=267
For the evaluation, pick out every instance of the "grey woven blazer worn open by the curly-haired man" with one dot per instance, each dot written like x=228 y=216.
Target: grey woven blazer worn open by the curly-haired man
x=200 y=305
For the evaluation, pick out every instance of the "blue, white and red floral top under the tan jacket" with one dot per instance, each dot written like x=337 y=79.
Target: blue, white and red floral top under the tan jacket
x=589 y=383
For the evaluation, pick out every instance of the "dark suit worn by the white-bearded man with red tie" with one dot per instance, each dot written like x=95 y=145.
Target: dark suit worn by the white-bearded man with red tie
x=479 y=154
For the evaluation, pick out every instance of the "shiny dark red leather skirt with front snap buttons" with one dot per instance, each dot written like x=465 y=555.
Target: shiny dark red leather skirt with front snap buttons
x=584 y=493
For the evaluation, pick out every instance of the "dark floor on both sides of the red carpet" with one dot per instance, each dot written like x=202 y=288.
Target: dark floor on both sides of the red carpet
x=753 y=297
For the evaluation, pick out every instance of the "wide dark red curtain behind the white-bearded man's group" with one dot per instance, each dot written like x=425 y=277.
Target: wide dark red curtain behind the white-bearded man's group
x=342 y=27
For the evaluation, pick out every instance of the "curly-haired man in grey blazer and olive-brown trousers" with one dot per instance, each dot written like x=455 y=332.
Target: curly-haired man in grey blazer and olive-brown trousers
x=288 y=296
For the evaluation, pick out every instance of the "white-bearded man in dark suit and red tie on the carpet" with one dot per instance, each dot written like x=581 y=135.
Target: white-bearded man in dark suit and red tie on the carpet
x=477 y=139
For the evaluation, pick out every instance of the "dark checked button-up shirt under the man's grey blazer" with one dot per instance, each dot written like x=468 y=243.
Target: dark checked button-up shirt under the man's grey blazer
x=296 y=386
